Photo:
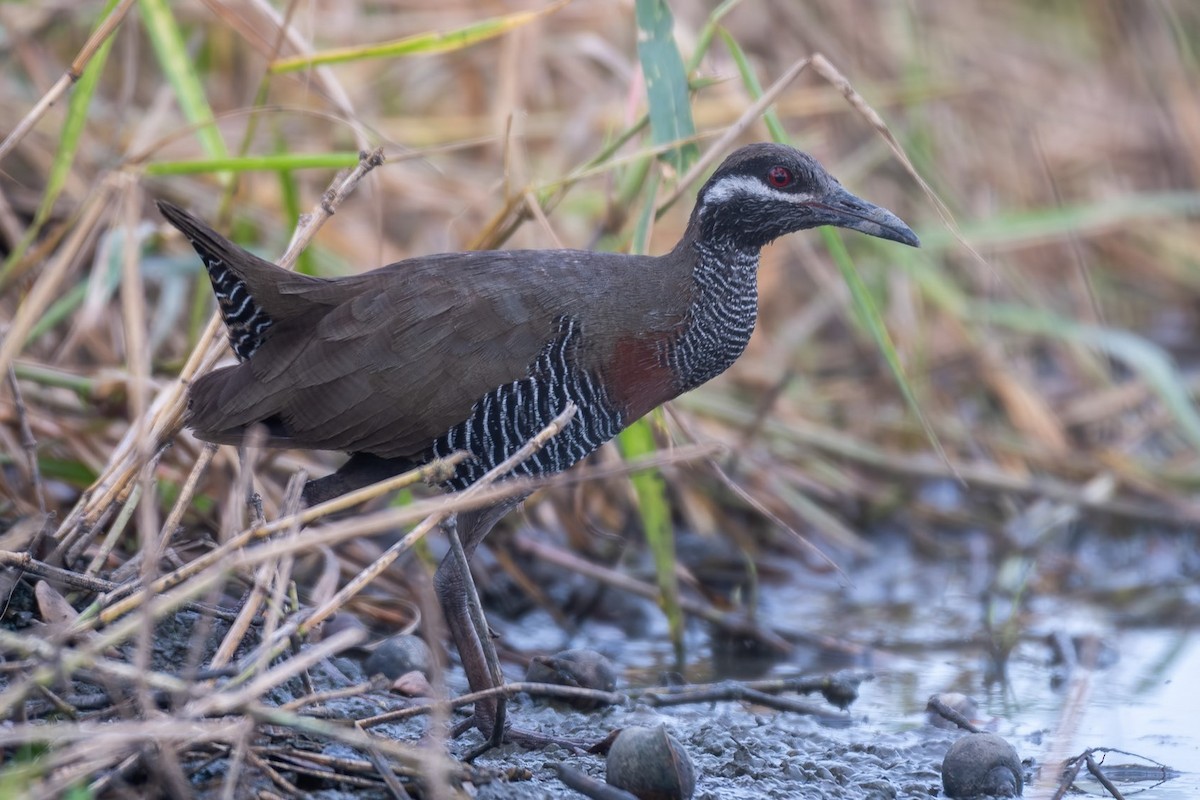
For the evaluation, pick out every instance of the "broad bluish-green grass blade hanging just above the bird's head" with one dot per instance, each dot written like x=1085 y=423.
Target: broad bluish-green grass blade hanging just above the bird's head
x=667 y=83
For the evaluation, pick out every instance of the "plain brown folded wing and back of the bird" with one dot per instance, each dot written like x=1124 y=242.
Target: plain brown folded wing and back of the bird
x=388 y=362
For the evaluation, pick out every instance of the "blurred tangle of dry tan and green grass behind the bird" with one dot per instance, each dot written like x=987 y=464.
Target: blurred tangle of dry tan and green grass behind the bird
x=1040 y=347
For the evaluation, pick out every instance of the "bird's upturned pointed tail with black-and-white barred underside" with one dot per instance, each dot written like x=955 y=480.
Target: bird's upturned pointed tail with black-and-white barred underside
x=229 y=267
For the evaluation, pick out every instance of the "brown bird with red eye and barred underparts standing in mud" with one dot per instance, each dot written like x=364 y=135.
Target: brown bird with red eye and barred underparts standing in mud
x=479 y=351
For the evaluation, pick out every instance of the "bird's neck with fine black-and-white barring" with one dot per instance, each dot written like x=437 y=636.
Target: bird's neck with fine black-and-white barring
x=723 y=314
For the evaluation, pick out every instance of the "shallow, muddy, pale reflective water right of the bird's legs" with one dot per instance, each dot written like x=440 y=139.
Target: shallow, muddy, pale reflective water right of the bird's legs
x=921 y=627
